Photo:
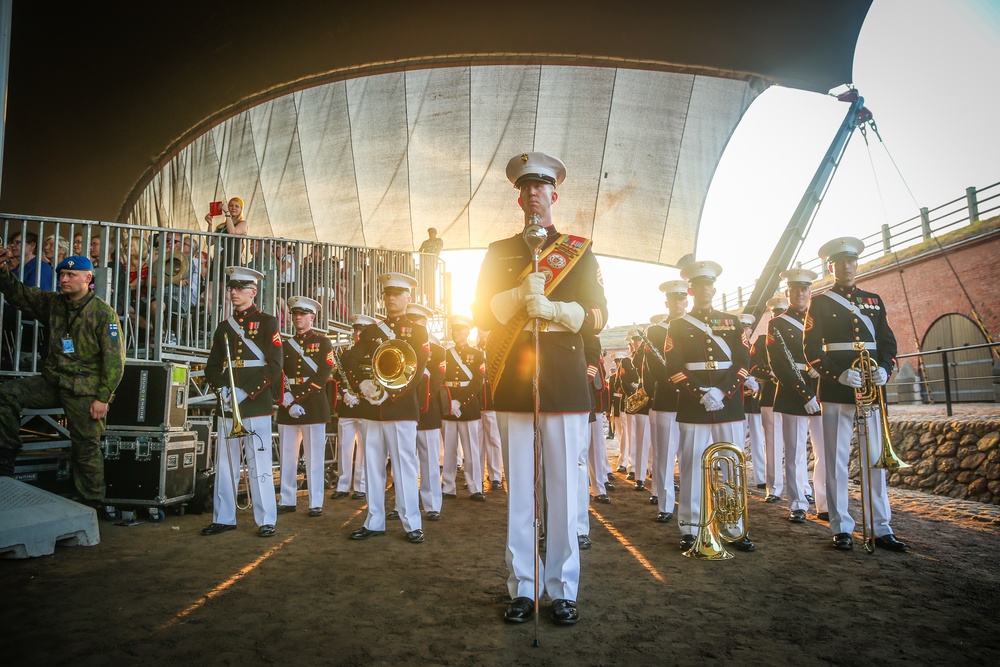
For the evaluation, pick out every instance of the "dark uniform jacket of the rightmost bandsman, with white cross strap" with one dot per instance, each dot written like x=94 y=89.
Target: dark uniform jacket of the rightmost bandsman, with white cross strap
x=829 y=322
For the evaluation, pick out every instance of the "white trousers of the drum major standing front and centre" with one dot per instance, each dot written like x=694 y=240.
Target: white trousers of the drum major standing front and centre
x=561 y=434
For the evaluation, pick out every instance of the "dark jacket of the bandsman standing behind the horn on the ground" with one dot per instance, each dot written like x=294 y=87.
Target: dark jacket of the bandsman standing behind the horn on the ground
x=694 y=360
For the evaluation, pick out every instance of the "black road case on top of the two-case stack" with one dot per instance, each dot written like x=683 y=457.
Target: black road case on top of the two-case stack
x=152 y=396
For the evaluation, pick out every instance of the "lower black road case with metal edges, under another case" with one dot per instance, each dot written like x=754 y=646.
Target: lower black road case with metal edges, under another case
x=148 y=469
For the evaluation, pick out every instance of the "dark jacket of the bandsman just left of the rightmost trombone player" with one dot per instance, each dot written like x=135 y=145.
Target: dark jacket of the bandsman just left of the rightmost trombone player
x=795 y=387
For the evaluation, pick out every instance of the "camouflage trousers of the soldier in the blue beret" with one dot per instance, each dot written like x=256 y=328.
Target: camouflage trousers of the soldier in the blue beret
x=35 y=393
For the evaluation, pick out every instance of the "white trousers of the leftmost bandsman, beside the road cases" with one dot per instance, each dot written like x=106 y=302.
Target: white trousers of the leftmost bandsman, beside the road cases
x=260 y=472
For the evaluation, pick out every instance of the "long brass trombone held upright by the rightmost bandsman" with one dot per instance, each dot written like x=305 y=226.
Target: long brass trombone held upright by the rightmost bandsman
x=866 y=398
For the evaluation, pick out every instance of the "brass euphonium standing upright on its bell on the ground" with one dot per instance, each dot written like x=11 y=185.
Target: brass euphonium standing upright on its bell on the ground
x=723 y=502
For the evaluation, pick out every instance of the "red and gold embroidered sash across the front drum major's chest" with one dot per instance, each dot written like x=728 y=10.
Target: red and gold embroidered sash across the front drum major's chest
x=555 y=262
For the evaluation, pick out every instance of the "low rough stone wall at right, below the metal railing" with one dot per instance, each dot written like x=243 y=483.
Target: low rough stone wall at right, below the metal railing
x=952 y=458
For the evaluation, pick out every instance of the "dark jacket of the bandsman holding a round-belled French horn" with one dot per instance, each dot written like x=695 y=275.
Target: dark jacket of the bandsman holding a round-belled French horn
x=401 y=404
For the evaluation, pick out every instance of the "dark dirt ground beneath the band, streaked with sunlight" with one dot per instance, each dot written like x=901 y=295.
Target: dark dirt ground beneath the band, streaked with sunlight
x=161 y=594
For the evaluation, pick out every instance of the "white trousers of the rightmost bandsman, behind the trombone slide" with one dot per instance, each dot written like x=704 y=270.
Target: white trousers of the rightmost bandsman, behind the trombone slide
x=838 y=427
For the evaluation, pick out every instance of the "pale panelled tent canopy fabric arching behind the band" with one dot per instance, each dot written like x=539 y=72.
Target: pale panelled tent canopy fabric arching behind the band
x=376 y=160
